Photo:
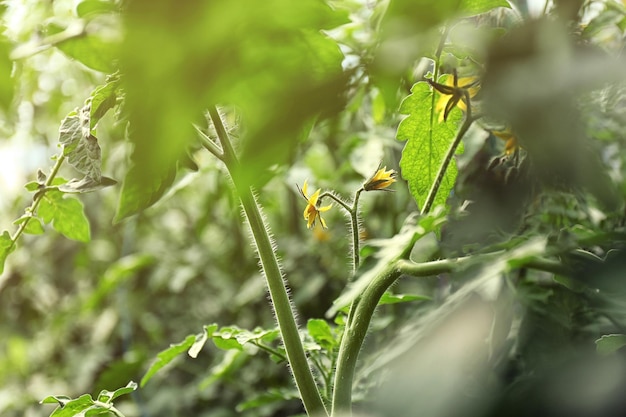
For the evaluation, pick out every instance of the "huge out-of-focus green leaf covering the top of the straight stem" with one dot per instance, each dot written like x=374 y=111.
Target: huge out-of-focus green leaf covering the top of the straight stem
x=270 y=59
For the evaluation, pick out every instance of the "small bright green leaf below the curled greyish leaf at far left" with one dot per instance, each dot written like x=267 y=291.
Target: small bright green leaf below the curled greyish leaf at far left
x=66 y=215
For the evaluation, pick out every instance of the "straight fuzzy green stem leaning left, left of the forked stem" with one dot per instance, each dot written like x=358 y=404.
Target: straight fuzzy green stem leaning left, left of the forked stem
x=278 y=292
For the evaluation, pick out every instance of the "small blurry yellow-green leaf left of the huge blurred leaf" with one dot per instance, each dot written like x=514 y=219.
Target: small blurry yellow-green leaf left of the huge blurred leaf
x=89 y=49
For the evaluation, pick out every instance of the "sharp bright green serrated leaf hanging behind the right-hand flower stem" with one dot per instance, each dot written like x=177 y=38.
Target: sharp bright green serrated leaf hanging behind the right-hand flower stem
x=427 y=143
